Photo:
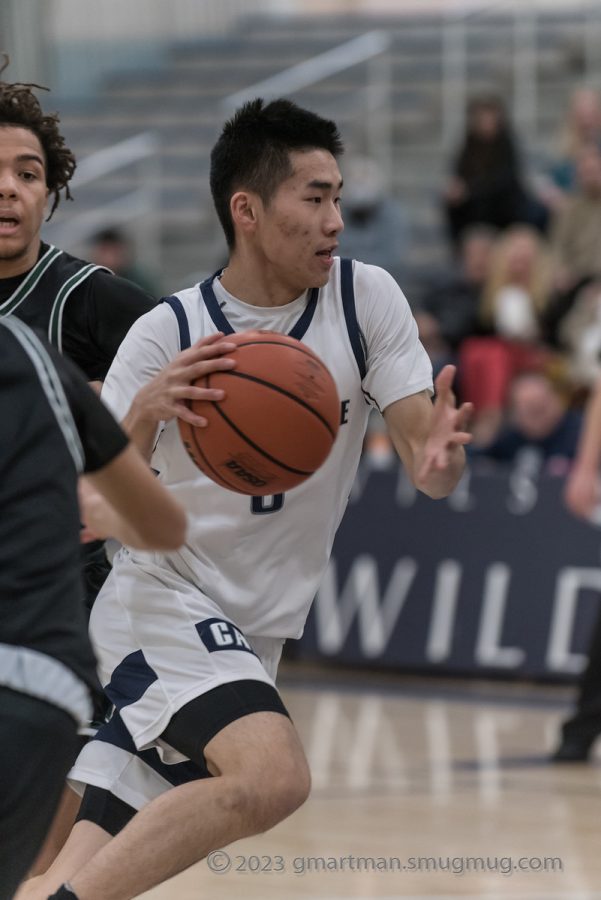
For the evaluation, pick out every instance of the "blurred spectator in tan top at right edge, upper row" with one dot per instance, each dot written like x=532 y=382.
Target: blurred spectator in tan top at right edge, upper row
x=576 y=228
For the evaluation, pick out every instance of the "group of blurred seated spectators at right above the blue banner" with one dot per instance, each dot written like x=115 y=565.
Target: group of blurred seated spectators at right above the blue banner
x=518 y=309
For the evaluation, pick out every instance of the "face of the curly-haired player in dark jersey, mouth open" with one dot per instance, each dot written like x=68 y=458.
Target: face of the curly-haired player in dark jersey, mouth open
x=23 y=196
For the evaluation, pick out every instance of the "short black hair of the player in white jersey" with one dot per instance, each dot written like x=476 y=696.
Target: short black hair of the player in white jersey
x=253 y=151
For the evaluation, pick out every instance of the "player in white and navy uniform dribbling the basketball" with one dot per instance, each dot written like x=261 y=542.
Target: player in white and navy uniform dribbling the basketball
x=189 y=642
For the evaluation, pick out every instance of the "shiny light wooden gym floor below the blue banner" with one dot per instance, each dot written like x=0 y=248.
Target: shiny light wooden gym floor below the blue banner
x=452 y=772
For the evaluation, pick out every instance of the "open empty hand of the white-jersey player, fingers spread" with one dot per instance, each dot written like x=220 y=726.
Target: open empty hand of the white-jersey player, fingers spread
x=447 y=428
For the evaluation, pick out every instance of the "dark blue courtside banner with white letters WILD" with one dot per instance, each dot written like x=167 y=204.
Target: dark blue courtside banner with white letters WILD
x=498 y=579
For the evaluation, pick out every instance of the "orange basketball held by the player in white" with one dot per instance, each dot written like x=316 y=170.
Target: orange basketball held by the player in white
x=277 y=423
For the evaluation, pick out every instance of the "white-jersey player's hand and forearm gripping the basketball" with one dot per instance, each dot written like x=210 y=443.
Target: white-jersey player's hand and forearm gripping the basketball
x=166 y=395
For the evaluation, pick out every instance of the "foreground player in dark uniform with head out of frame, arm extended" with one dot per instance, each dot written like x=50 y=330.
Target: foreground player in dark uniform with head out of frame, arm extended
x=54 y=427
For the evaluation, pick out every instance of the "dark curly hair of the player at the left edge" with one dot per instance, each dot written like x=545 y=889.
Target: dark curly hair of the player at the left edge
x=19 y=107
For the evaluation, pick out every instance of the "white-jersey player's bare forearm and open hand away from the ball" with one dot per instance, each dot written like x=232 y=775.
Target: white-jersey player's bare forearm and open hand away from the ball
x=429 y=437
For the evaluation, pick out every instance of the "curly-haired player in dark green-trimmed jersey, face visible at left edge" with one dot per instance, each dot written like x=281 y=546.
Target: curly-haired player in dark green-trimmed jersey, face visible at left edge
x=84 y=310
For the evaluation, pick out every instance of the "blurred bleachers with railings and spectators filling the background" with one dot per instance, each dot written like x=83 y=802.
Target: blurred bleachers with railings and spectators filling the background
x=473 y=166
